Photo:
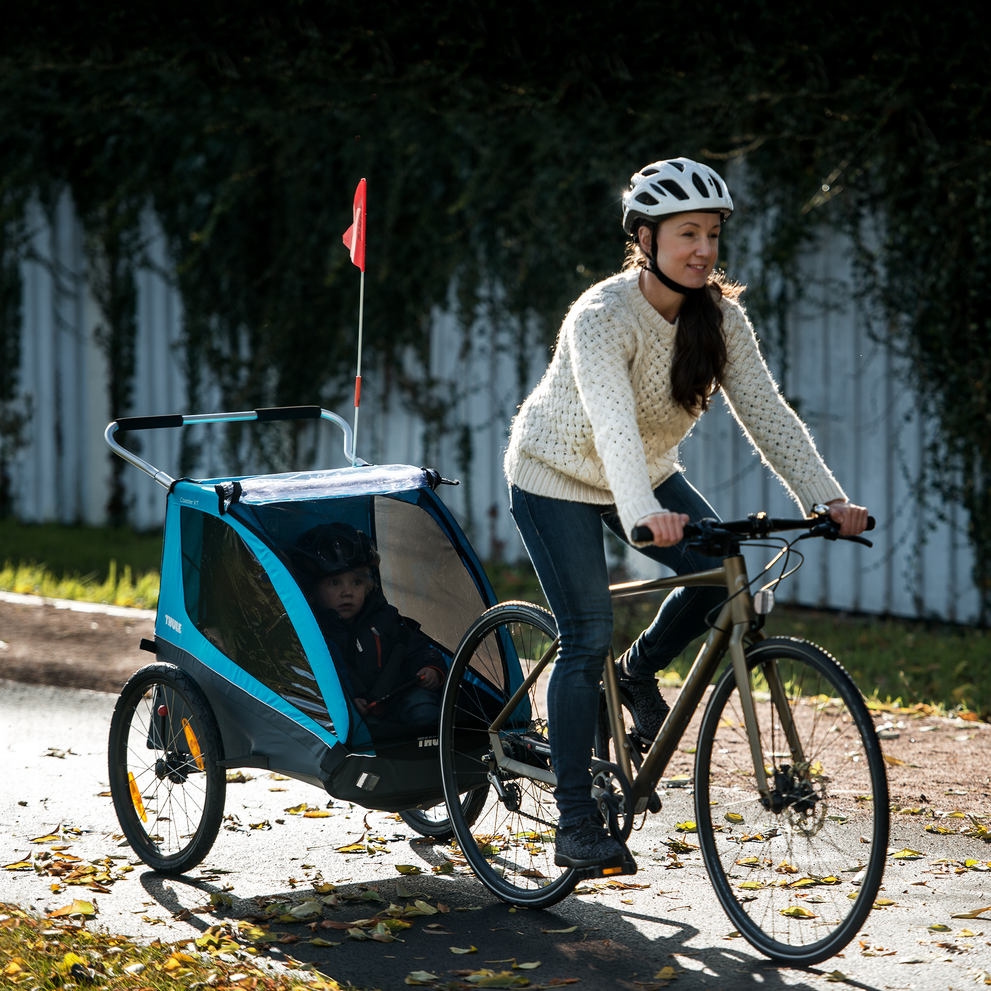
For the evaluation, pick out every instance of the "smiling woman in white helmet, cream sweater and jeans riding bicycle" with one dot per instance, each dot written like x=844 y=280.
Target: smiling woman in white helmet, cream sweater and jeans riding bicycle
x=638 y=359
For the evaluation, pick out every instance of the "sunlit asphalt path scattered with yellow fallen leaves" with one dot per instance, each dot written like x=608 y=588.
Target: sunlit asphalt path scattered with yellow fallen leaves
x=53 y=746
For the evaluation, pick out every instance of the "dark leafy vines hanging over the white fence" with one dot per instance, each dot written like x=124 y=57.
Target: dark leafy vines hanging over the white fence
x=496 y=139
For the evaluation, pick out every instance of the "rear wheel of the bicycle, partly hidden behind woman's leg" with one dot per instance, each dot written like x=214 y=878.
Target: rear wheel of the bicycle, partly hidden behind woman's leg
x=511 y=850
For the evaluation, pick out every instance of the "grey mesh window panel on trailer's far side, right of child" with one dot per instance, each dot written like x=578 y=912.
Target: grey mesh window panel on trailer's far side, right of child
x=422 y=573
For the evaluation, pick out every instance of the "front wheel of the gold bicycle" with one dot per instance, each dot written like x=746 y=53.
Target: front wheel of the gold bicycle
x=798 y=871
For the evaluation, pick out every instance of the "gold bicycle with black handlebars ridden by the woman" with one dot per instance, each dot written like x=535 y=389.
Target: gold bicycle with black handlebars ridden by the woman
x=790 y=791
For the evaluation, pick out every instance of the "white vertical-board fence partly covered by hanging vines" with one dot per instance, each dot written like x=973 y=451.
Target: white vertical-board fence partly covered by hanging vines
x=848 y=387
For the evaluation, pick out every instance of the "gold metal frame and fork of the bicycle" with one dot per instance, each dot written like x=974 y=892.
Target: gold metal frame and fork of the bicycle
x=736 y=619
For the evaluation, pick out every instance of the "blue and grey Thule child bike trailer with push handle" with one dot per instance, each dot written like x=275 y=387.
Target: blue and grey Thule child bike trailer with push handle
x=244 y=675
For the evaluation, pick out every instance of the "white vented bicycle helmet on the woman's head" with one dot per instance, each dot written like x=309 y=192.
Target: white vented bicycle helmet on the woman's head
x=677 y=185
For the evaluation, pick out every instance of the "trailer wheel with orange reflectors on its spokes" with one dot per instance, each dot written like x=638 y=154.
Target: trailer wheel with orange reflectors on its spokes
x=167 y=786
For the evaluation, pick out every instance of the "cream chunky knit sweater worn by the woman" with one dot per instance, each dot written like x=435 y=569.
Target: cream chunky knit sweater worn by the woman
x=602 y=426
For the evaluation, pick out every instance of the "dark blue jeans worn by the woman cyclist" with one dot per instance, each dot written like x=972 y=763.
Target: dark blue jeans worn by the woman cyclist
x=564 y=541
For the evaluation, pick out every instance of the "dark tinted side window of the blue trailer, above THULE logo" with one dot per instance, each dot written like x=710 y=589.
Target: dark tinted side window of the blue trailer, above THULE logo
x=232 y=602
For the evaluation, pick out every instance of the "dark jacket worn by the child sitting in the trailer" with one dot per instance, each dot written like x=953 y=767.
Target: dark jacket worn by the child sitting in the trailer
x=380 y=649
